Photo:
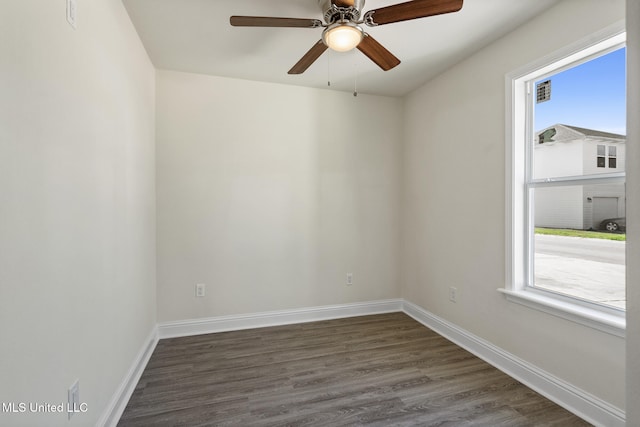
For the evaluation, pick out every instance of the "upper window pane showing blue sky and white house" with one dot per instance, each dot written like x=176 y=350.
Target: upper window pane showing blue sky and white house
x=583 y=120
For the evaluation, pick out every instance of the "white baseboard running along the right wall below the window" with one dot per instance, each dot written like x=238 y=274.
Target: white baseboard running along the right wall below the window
x=581 y=403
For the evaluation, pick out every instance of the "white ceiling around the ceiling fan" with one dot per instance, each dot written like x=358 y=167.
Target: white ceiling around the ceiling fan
x=195 y=36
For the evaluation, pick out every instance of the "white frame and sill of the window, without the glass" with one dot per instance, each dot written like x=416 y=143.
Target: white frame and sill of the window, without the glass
x=519 y=247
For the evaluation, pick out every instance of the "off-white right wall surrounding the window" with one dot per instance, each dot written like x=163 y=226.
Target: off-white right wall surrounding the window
x=453 y=220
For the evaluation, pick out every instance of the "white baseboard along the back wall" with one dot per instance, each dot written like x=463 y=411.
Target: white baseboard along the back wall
x=210 y=325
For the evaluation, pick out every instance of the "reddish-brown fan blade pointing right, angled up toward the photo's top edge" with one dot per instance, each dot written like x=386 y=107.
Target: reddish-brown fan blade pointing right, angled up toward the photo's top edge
x=411 y=10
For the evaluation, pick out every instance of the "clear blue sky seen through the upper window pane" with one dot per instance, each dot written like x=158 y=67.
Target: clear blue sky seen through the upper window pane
x=591 y=95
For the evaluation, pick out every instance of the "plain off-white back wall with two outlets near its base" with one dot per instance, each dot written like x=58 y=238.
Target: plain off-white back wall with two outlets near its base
x=270 y=194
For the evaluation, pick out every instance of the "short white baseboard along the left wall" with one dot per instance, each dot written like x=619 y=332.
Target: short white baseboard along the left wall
x=120 y=398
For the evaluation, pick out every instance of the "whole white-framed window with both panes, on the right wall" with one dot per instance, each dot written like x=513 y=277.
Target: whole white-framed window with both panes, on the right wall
x=555 y=187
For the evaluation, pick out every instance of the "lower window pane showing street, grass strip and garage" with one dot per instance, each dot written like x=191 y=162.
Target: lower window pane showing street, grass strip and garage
x=573 y=251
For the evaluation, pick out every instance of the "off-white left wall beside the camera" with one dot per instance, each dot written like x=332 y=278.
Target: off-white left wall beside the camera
x=77 y=222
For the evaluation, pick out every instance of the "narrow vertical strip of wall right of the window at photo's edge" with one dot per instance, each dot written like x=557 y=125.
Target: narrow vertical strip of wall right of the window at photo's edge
x=633 y=213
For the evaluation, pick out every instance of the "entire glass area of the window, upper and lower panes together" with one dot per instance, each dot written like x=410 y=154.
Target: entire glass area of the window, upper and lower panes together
x=578 y=230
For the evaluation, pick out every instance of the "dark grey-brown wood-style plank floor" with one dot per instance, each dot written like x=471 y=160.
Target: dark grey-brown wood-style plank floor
x=382 y=370
